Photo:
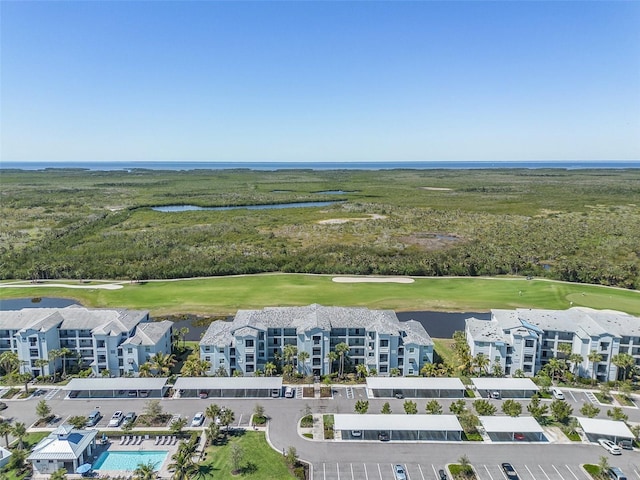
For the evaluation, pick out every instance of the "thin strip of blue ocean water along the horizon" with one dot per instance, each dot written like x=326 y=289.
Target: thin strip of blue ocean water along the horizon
x=271 y=166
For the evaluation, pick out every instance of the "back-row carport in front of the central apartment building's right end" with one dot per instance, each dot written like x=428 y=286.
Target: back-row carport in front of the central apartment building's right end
x=417 y=387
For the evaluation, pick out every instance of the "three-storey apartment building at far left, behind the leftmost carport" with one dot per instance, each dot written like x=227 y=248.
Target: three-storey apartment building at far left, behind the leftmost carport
x=116 y=340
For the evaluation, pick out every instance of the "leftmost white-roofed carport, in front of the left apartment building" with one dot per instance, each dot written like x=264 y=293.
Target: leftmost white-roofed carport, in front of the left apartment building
x=112 y=387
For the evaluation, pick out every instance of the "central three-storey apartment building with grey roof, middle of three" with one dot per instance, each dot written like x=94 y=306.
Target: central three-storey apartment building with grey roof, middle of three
x=376 y=338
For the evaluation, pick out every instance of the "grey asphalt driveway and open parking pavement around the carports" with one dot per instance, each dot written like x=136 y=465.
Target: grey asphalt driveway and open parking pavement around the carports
x=367 y=460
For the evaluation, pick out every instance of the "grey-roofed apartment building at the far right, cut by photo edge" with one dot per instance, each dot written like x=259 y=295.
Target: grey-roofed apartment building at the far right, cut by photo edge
x=526 y=339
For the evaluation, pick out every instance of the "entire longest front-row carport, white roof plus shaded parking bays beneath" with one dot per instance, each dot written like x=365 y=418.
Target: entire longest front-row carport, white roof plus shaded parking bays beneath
x=398 y=427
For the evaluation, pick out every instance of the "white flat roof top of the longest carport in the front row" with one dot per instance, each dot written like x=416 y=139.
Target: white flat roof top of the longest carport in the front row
x=351 y=421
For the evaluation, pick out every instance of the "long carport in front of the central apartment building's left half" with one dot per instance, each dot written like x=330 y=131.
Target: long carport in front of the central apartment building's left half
x=229 y=386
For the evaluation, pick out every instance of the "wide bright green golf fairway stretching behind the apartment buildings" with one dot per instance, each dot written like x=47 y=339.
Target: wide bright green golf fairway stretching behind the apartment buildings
x=225 y=295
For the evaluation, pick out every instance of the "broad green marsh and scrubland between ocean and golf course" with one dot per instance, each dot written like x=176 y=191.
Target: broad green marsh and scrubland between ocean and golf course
x=578 y=226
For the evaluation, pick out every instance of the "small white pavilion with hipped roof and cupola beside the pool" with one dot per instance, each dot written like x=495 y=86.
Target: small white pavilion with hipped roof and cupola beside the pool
x=65 y=447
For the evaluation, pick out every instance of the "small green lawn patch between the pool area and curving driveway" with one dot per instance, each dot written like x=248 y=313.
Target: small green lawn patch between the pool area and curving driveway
x=266 y=463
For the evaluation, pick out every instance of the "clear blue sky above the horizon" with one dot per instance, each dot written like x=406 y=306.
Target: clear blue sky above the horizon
x=319 y=81
